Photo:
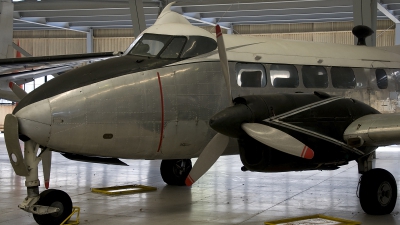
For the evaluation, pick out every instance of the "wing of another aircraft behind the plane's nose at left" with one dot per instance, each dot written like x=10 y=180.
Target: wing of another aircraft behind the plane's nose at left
x=24 y=70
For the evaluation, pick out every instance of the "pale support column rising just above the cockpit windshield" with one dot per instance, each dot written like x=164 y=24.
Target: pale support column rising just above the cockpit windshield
x=137 y=16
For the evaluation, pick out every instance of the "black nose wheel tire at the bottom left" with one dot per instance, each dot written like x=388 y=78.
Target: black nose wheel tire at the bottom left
x=55 y=198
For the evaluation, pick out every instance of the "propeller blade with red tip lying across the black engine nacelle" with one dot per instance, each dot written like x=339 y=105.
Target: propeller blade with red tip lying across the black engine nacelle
x=278 y=139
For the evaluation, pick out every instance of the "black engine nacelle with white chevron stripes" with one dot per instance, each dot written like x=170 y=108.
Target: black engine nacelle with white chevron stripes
x=329 y=119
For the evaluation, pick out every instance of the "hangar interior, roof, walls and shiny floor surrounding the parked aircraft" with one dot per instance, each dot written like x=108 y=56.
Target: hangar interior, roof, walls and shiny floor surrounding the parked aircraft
x=225 y=194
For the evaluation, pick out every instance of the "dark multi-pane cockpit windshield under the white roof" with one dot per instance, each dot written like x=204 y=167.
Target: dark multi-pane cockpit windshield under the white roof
x=172 y=47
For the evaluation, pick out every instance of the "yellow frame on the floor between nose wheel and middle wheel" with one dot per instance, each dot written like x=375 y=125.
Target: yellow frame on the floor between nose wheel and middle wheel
x=126 y=189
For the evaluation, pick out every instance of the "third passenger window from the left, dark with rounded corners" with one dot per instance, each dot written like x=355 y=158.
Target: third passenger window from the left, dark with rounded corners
x=315 y=77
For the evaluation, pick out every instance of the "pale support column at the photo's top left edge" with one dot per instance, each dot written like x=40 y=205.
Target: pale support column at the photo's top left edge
x=6 y=29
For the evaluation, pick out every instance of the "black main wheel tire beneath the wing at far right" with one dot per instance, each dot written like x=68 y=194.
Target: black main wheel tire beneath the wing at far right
x=378 y=192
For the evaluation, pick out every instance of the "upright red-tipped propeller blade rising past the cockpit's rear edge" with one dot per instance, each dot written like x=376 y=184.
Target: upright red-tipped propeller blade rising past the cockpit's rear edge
x=224 y=60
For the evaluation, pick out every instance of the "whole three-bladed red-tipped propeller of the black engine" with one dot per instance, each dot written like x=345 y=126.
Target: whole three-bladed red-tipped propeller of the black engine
x=265 y=134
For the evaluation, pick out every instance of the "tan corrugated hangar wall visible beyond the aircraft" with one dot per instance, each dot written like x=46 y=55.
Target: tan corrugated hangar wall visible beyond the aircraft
x=57 y=42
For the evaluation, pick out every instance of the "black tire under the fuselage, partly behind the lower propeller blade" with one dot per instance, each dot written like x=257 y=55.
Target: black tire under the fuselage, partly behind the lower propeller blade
x=175 y=171
